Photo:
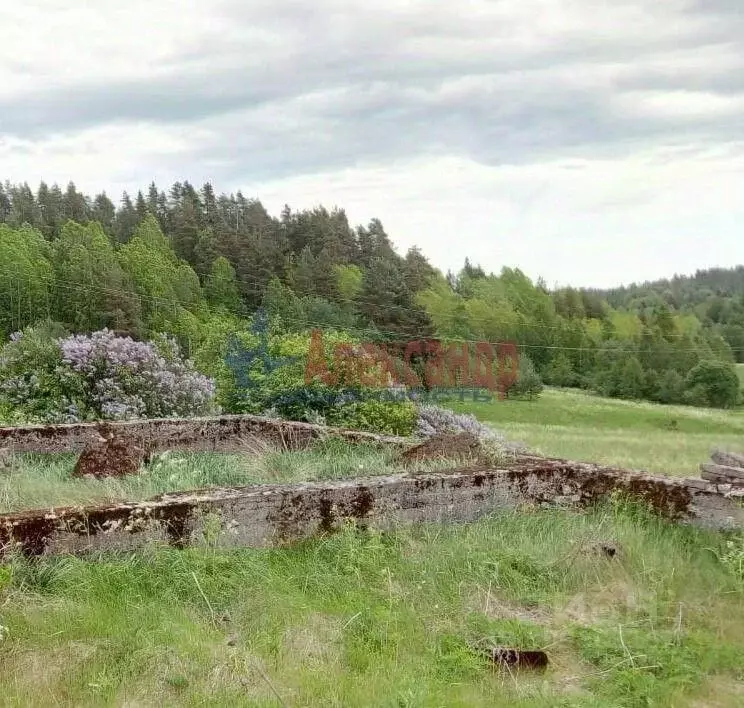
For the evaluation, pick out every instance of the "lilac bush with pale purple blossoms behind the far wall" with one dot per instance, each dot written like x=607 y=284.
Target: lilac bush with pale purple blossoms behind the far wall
x=99 y=377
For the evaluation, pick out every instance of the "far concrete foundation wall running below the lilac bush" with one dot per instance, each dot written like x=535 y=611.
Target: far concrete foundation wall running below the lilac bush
x=226 y=433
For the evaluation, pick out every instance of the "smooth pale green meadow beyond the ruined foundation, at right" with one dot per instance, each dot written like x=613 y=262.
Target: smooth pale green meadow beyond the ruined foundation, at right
x=575 y=425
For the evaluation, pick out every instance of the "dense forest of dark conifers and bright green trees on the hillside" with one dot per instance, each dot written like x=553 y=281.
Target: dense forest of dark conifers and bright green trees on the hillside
x=198 y=265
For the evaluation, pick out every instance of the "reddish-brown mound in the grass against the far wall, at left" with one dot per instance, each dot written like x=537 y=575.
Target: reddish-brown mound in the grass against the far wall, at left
x=114 y=454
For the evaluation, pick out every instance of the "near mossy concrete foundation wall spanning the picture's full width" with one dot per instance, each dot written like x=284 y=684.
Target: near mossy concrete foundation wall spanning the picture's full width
x=266 y=515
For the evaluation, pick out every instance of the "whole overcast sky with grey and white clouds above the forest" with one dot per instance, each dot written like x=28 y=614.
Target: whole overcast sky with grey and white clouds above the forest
x=587 y=142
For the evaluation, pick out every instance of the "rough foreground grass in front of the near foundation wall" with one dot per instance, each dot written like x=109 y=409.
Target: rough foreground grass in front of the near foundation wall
x=370 y=619
